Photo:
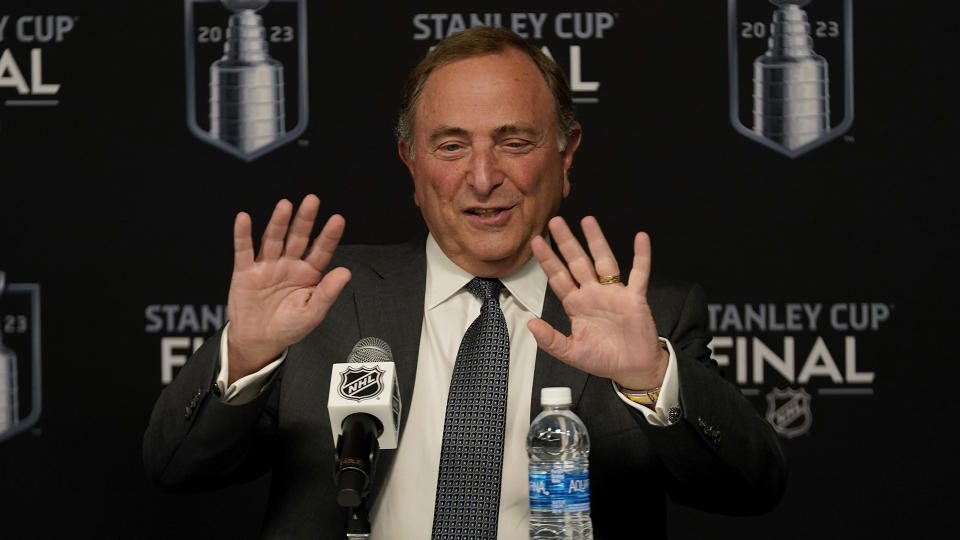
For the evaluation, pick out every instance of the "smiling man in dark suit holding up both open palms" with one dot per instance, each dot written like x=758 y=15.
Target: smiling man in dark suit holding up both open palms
x=488 y=136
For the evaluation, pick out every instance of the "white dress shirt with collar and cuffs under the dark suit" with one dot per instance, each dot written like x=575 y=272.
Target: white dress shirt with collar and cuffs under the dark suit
x=404 y=509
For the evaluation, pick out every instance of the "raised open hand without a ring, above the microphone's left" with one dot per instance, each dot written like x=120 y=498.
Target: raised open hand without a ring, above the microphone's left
x=276 y=299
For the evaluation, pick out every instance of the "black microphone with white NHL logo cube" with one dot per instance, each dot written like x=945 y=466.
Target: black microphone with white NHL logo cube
x=364 y=408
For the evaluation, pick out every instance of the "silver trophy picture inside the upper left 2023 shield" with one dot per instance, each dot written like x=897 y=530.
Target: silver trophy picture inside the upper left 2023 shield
x=246 y=85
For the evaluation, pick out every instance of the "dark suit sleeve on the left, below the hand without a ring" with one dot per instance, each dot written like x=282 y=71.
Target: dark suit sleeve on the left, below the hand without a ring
x=196 y=442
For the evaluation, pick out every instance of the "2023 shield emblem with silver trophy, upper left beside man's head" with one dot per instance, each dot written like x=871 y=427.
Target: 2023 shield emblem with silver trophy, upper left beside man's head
x=246 y=78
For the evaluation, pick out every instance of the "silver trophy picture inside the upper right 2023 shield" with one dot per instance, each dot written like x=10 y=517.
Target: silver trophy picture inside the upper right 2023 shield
x=791 y=95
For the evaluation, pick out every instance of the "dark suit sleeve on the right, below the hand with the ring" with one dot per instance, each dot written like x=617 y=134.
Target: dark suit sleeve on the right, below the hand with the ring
x=721 y=456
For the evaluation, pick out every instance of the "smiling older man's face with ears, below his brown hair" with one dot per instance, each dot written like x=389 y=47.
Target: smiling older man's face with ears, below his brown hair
x=487 y=170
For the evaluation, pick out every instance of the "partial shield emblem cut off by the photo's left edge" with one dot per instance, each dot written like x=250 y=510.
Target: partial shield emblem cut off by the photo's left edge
x=19 y=357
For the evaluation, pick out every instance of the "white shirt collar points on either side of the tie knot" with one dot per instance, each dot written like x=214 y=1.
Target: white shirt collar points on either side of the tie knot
x=528 y=285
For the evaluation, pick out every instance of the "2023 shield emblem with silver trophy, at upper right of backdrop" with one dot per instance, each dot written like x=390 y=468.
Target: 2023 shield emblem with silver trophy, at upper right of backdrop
x=791 y=71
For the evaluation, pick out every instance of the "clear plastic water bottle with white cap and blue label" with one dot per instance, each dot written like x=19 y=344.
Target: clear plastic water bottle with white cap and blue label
x=558 y=447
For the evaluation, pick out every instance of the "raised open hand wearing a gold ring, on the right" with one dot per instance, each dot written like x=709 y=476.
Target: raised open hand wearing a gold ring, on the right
x=612 y=332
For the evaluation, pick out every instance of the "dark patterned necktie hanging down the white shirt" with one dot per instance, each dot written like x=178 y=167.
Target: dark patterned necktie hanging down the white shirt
x=468 y=488
